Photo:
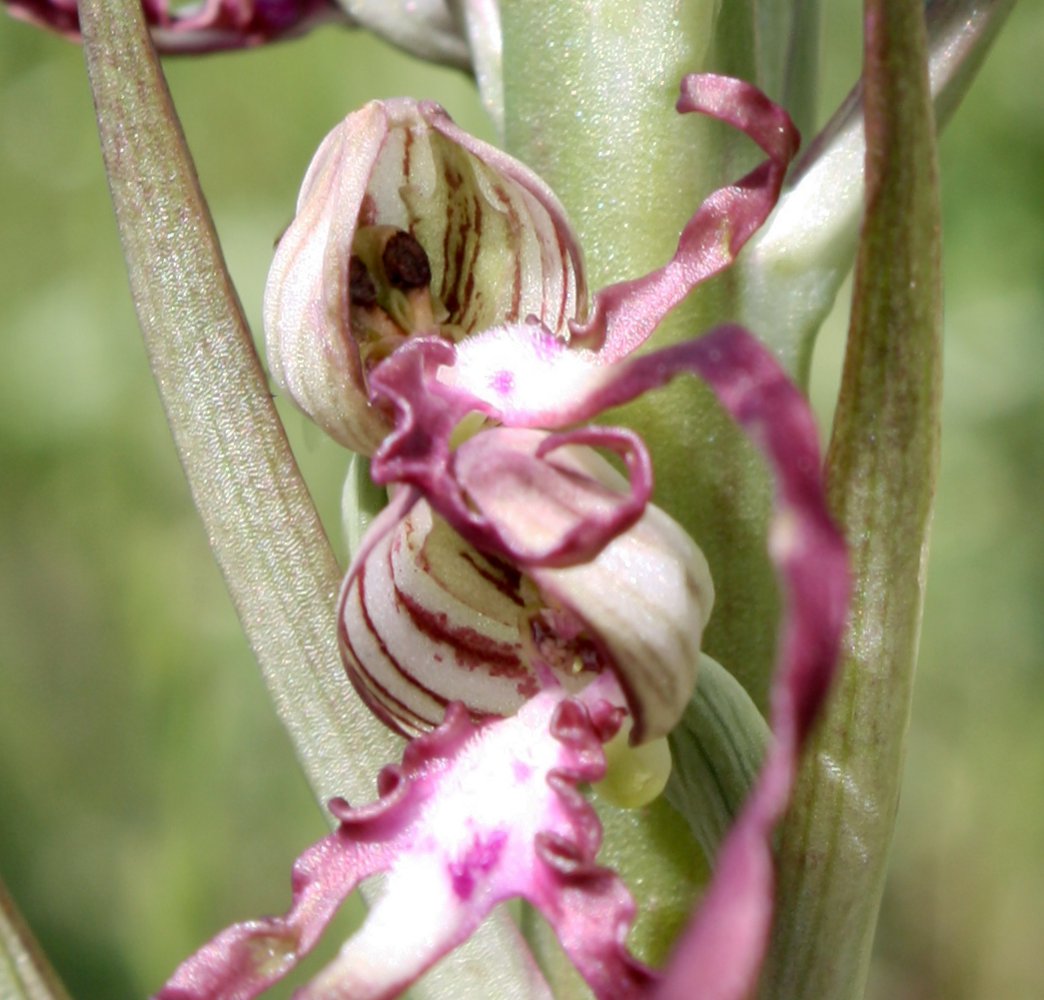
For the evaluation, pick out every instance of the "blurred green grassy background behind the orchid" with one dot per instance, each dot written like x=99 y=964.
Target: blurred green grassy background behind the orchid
x=148 y=795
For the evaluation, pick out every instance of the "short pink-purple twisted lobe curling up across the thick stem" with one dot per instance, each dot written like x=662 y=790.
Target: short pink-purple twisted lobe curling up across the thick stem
x=626 y=315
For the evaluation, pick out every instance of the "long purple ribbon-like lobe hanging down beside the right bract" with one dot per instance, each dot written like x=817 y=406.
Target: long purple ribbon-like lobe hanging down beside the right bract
x=721 y=954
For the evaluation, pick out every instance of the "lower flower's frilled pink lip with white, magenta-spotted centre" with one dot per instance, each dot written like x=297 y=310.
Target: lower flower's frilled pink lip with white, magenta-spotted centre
x=532 y=764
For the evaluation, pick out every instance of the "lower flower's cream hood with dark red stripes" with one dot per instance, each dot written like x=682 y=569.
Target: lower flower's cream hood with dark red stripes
x=428 y=620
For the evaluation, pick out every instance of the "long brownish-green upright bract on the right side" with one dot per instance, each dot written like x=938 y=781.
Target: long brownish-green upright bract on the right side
x=882 y=468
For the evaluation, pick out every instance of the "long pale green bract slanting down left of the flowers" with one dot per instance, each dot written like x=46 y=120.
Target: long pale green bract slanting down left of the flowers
x=259 y=518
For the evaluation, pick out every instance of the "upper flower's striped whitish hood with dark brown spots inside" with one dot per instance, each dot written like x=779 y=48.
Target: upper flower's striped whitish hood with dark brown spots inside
x=407 y=226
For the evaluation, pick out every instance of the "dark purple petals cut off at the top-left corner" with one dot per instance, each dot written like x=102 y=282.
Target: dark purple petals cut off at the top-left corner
x=211 y=27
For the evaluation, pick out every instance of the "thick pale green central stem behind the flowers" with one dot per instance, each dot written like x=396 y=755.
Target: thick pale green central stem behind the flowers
x=589 y=100
